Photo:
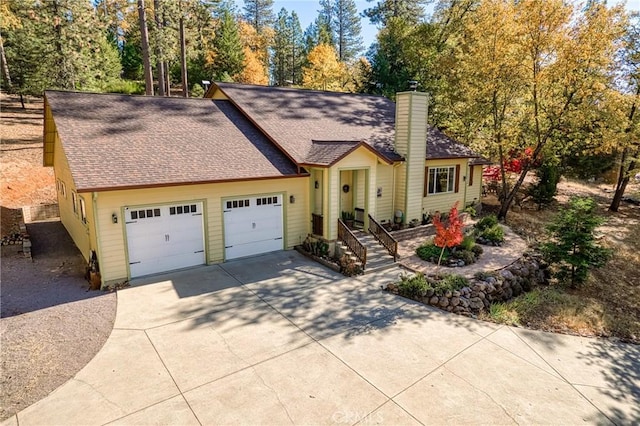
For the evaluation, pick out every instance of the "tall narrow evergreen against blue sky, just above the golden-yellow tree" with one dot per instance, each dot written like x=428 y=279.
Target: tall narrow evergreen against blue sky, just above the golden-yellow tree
x=347 y=29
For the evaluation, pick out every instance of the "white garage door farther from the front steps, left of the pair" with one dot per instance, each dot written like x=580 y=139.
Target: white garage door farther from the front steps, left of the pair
x=163 y=238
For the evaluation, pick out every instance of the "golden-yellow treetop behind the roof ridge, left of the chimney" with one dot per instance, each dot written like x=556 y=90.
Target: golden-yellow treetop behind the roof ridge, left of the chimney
x=324 y=72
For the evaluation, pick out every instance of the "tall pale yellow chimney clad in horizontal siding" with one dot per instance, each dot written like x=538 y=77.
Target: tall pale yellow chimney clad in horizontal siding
x=411 y=143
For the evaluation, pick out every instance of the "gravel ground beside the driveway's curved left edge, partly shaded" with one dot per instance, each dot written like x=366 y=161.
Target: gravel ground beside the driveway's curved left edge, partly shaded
x=50 y=325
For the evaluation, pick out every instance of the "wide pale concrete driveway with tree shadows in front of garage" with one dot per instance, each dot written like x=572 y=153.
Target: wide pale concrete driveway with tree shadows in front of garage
x=278 y=339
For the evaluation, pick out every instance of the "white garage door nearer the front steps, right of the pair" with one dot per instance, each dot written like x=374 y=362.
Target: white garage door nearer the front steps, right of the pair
x=252 y=225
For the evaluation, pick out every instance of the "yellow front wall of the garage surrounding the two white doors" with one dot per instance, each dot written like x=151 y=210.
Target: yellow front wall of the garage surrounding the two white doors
x=114 y=264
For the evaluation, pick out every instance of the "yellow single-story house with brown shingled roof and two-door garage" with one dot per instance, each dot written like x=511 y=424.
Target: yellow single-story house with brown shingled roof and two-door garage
x=152 y=184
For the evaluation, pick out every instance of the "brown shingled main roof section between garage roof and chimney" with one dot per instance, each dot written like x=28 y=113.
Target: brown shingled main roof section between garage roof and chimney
x=295 y=118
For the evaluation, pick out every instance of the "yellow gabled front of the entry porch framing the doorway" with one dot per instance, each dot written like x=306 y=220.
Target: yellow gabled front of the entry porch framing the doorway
x=363 y=159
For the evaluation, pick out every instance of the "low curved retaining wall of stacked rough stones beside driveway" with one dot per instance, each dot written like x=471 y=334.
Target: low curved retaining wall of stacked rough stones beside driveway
x=499 y=286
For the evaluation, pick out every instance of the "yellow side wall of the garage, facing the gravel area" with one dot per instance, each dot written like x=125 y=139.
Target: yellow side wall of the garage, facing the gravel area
x=80 y=232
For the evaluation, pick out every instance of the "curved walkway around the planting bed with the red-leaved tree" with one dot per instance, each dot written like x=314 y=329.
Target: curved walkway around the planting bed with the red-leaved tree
x=492 y=259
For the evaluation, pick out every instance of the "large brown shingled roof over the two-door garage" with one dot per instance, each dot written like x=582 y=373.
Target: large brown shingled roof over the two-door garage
x=121 y=141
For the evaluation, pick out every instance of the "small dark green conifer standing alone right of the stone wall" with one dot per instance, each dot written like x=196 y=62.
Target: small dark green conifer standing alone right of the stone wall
x=572 y=247
